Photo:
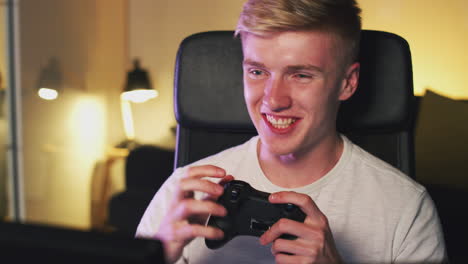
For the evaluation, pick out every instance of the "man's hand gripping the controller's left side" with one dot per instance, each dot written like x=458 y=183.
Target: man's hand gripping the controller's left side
x=187 y=216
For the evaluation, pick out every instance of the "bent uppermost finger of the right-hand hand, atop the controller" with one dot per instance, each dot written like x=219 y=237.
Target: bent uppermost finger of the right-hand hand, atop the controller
x=303 y=201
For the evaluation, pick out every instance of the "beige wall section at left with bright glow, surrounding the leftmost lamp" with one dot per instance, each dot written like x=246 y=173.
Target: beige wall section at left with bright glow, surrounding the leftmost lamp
x=63 y=139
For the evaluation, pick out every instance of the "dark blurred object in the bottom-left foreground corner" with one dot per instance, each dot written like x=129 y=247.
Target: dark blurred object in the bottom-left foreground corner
x=20 y=243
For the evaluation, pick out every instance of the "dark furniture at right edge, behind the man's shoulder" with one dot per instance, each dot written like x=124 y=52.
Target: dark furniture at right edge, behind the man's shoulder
x=441 y=144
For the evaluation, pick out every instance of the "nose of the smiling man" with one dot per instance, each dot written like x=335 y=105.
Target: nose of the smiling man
x=276 y=95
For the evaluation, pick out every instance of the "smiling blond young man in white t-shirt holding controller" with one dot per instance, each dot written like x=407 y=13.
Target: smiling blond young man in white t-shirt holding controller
x=299 y=63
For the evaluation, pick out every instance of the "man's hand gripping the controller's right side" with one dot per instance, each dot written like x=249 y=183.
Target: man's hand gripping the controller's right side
x=314 y=243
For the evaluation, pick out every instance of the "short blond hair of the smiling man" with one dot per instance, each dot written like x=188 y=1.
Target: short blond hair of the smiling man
x=339 y=17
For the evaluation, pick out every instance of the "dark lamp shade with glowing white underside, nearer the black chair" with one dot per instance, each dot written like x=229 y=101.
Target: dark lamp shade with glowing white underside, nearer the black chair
x=138 y=86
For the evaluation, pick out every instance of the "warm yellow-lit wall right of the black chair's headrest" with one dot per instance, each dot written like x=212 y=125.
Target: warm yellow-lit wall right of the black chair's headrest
x=437 y=32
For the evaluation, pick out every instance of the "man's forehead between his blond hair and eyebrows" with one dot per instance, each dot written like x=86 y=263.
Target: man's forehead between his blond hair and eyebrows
x=290 y=48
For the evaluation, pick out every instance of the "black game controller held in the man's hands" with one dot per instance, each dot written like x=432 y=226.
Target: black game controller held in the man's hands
x=249 y=213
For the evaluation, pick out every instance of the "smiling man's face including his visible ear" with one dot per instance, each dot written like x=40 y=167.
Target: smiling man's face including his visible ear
x=292 y=86
